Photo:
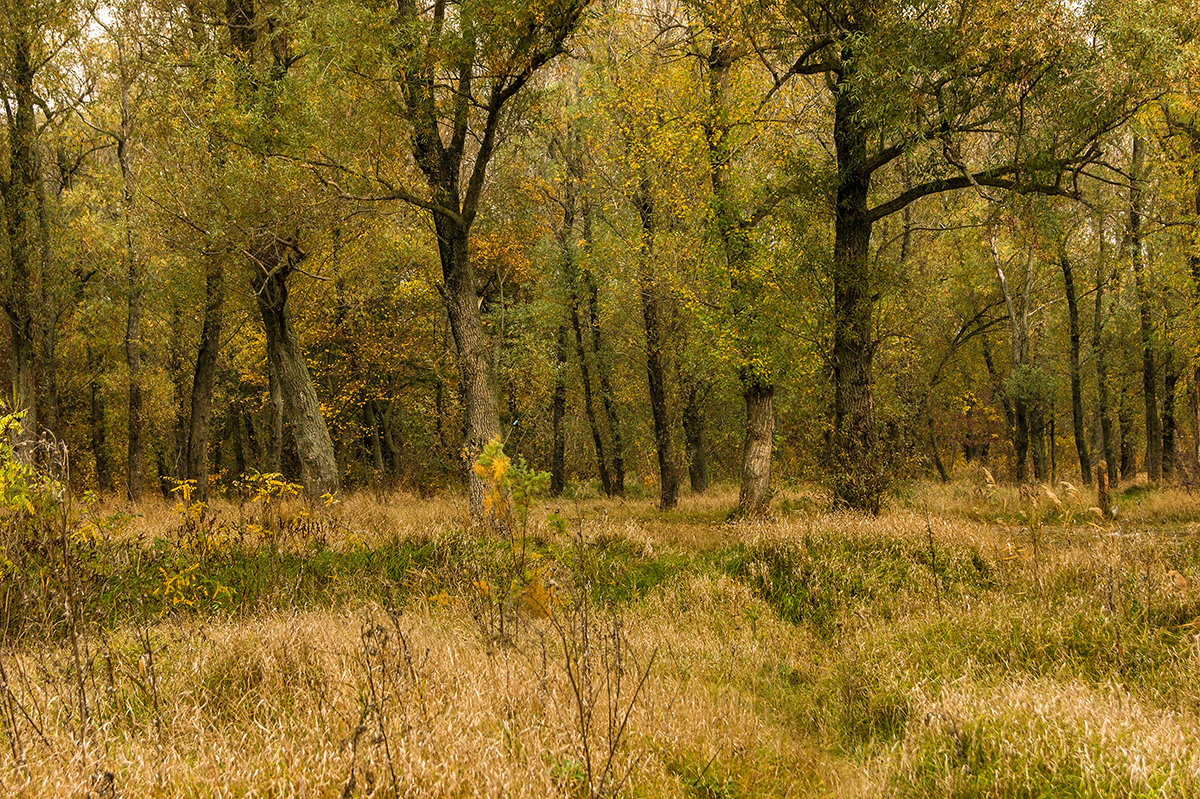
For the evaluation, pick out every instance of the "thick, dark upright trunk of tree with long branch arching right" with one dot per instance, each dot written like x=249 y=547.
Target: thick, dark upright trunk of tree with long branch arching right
x=860 y=480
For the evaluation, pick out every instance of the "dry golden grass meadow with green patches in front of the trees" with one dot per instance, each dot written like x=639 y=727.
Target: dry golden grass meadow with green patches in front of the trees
x=973 y=641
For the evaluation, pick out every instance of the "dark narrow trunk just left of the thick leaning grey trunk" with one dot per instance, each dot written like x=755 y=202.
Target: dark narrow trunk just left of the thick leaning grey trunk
x=201 y=420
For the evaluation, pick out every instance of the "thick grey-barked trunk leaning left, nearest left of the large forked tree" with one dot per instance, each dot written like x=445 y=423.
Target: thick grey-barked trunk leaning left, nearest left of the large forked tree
x=315 y=448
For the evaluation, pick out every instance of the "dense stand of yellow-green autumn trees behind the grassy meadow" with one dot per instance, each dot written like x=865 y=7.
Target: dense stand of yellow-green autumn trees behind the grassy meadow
x=649 y=245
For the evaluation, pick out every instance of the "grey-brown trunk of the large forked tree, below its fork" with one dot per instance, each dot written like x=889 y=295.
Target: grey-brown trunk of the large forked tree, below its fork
x=481 y=418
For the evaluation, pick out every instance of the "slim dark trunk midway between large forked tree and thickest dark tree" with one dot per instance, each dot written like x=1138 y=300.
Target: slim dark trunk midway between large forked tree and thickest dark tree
x=649 y=290
